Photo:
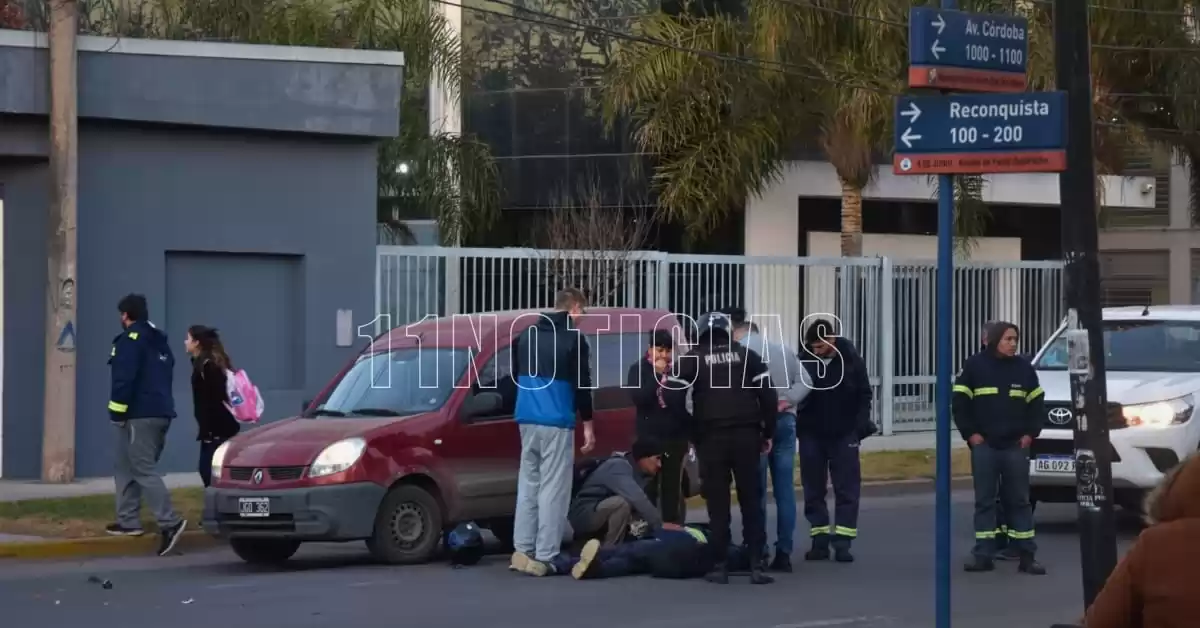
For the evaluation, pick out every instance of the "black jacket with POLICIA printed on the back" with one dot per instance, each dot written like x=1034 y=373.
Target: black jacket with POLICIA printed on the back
x=730 y=388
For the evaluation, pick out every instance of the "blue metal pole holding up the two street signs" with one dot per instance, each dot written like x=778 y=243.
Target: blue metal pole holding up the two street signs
x=945 y=369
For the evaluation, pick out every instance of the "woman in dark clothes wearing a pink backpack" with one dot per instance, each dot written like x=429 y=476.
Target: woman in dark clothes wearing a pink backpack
x=223 y=398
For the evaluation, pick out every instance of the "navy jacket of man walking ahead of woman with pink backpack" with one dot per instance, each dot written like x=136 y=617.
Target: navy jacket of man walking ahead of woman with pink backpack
x=142 y=369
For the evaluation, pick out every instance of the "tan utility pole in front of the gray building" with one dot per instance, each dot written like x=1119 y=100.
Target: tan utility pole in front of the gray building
x=59 y=400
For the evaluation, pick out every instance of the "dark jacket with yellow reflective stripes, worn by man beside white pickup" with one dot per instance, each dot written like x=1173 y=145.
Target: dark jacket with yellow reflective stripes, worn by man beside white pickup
x=998 y=398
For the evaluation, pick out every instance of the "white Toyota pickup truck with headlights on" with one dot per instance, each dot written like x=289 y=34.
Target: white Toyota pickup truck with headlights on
x=1153 y=362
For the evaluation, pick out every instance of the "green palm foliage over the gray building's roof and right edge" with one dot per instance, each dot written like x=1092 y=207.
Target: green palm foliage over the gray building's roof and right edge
x=449 y=177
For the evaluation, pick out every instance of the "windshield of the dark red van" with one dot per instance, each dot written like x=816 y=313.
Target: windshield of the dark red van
x=399 y=382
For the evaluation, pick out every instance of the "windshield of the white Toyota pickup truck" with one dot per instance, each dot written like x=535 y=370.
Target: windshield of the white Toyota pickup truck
x=1165 y=346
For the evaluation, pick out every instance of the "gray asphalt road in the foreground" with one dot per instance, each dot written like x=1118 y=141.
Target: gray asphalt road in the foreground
x=890 y=587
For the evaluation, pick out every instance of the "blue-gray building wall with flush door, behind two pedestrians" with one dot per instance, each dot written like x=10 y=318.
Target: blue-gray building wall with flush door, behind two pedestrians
x=271 y=236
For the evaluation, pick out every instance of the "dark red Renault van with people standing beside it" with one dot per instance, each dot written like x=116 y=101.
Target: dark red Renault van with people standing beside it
x=412 y=438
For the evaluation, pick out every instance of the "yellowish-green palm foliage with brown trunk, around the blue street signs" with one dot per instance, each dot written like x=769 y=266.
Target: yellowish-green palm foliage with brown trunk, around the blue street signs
x=787 y=73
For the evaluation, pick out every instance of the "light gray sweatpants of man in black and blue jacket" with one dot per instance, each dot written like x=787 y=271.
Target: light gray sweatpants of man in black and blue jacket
x=544 y=491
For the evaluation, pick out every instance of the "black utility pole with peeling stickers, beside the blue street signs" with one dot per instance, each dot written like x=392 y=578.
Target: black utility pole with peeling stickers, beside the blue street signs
x=1085 y=334
